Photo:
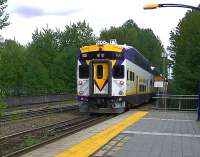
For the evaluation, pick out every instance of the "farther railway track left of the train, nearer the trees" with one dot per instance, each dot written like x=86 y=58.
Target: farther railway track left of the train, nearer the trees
x=35 y=113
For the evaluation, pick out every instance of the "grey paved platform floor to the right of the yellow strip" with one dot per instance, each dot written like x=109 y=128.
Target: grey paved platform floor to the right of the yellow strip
x=158 y=134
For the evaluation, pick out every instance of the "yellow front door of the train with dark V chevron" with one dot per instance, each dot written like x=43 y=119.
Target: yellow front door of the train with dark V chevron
x=100 y=80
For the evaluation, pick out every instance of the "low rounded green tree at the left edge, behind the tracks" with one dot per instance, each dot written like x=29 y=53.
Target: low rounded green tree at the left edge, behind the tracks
x=12 y=61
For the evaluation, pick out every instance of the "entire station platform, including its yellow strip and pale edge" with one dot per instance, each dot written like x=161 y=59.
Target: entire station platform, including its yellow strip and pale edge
x=133 y=134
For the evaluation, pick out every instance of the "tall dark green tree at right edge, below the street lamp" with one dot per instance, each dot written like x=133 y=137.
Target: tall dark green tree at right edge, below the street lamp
x=185 y=49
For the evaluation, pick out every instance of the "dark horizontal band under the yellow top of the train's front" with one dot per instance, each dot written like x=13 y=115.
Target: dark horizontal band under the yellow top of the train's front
x=101 y=55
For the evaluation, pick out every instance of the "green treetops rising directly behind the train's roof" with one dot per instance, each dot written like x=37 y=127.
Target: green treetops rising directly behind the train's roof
x=142 y=39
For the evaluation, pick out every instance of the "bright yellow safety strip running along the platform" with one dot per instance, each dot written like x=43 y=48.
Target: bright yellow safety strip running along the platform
x=88 y=146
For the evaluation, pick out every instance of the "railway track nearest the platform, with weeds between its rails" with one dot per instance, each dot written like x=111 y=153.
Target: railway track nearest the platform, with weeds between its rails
x=19 y=143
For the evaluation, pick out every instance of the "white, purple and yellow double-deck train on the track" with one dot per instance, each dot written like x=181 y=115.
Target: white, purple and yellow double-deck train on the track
x=112 y=78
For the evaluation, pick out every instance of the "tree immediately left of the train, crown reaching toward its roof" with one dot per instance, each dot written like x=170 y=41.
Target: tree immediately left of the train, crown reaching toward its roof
x=70 y=40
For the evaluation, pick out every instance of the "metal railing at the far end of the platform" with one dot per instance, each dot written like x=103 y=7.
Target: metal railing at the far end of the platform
x=176 y=102
